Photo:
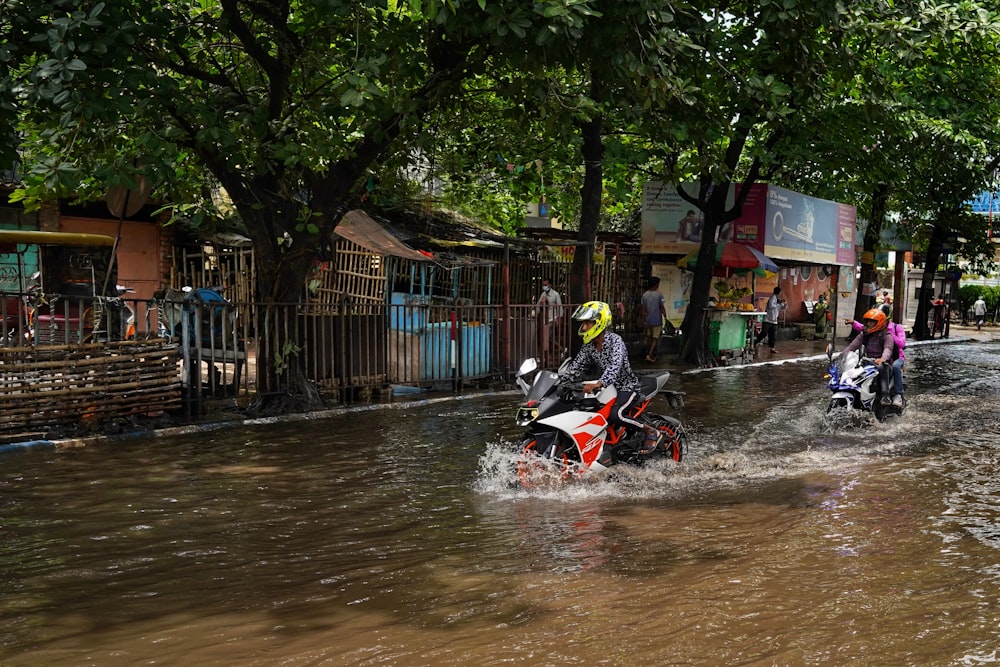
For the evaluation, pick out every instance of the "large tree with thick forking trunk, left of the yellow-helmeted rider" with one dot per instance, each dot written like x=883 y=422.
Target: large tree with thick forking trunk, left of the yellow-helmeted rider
x=285 y=104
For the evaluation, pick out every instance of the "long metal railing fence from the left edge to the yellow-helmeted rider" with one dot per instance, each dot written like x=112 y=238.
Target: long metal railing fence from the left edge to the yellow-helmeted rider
x=348 y=350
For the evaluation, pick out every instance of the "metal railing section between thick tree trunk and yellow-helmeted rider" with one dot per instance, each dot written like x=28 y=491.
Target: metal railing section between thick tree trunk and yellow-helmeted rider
x=419 y=344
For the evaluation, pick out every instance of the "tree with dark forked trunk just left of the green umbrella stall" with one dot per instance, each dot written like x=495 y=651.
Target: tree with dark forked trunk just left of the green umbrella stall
x=763 y=63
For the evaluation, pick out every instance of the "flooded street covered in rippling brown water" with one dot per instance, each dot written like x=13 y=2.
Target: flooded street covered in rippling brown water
x=394 y=537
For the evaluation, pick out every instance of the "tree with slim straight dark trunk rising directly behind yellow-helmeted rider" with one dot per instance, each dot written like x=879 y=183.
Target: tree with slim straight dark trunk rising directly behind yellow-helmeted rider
x=570 y=99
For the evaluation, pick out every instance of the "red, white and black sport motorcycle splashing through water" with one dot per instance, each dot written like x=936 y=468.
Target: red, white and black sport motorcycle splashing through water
x=569 y=433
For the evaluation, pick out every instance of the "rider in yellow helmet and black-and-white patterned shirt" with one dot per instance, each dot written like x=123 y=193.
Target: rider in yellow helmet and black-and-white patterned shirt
x=607 y=351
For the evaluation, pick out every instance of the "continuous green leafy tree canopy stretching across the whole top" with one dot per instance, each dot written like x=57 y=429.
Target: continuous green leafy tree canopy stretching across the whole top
x=292 y=106
